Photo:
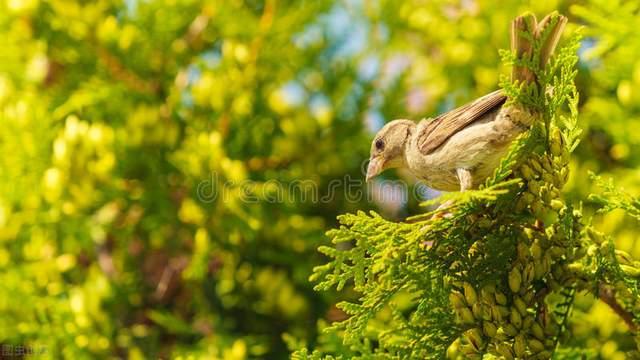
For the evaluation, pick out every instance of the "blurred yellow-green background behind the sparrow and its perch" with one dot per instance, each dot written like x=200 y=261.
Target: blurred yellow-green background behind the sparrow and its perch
x=123 y=124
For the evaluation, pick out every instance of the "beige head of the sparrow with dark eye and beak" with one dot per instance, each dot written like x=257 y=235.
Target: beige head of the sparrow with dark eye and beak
x=387 y=148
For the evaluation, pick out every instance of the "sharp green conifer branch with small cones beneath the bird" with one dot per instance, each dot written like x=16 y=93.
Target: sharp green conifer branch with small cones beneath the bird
x=507 y=261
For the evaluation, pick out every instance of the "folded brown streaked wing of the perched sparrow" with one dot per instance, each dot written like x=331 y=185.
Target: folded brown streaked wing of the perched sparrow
x=438 y=130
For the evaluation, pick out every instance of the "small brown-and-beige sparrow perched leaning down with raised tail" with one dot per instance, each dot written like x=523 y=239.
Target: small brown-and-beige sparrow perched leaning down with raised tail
x=459 y=149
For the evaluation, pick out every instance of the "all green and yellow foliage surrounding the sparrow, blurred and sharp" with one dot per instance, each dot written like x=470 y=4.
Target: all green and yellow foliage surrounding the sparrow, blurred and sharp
x=121 y=118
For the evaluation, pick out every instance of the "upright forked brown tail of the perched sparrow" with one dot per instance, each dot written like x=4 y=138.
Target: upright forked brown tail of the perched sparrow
x=525 y=32
